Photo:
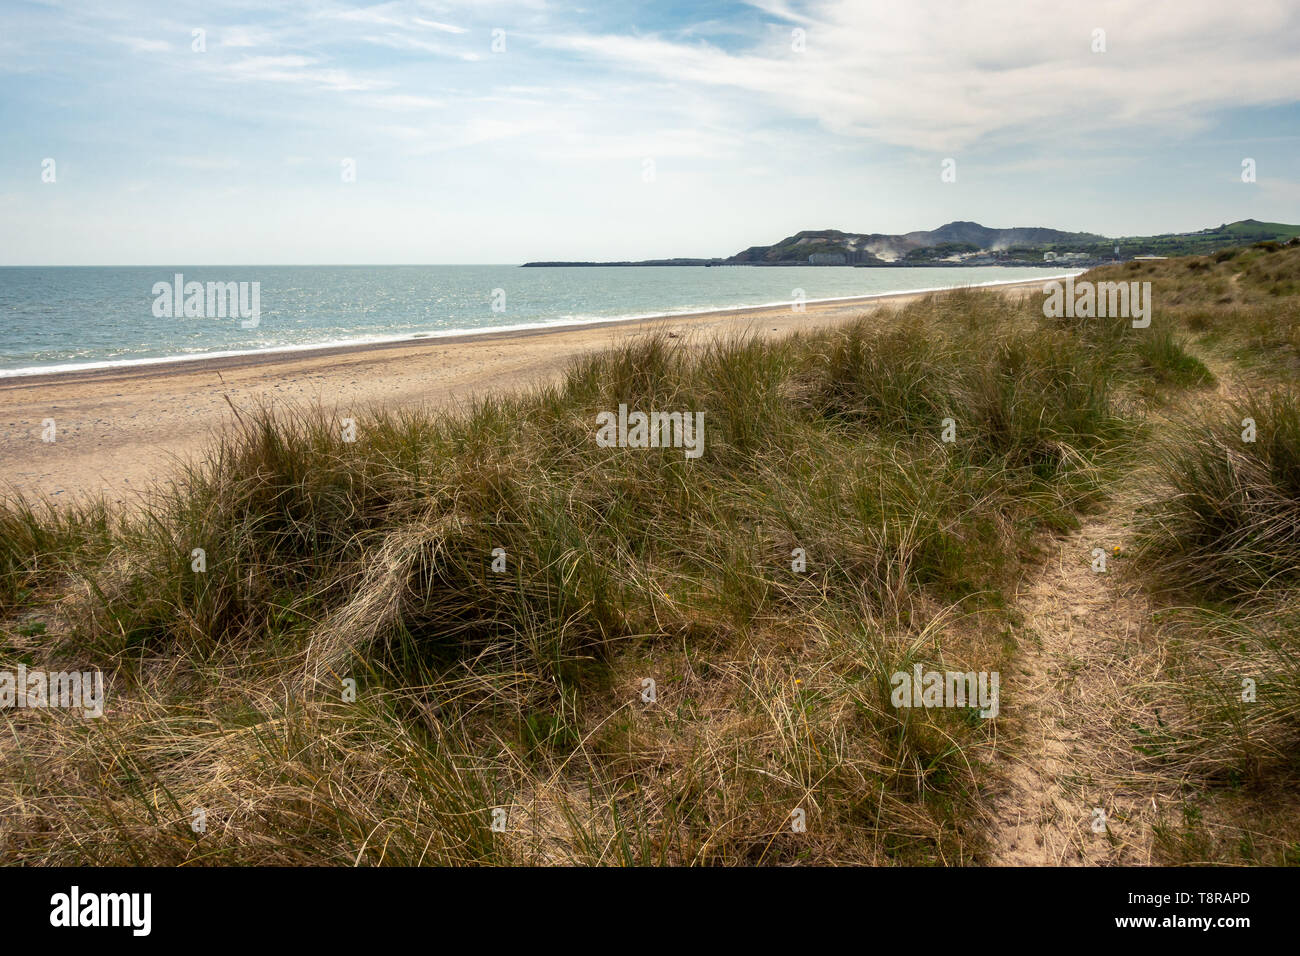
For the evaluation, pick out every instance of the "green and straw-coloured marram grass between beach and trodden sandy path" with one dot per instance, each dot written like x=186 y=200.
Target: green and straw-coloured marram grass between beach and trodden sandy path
x=371 y=561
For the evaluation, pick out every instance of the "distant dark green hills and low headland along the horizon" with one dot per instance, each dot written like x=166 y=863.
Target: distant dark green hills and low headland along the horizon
x=972 y=244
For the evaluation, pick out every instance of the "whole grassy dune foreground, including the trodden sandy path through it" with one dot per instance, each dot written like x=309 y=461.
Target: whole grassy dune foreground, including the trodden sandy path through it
x=397 y=648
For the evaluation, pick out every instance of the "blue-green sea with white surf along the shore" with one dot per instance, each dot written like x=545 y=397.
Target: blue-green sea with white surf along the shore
x=67 y=318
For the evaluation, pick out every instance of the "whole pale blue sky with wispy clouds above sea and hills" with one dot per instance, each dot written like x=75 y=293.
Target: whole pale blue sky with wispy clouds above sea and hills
x=413 y=132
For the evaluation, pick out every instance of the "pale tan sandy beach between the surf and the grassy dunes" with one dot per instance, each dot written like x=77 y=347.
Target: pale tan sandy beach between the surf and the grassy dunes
x=119 y=430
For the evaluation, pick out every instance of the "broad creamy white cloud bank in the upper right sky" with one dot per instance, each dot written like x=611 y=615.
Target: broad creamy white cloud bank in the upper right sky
x=943 y=76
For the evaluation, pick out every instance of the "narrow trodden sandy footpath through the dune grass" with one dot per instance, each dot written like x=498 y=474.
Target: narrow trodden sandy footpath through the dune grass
x=1073 y=791
